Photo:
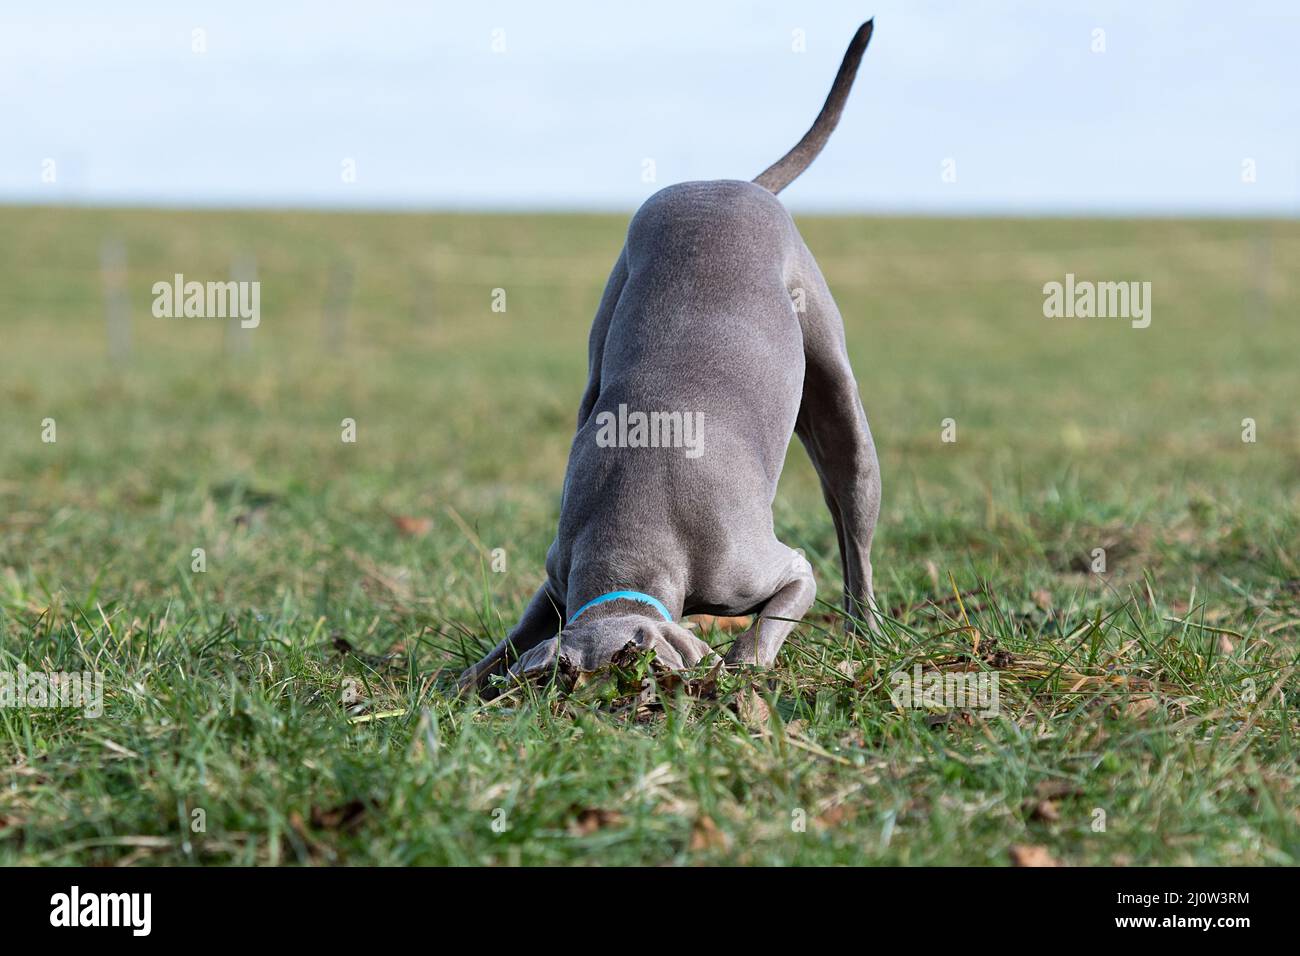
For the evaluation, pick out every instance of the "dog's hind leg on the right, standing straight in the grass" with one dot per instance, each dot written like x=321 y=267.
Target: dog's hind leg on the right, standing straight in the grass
x=834 y=429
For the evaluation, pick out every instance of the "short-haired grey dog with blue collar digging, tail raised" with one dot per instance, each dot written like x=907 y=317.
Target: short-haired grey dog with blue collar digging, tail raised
x=716 y=315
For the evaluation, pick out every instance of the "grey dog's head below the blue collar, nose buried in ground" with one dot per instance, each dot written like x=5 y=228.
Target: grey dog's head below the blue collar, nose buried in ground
x=592 y=643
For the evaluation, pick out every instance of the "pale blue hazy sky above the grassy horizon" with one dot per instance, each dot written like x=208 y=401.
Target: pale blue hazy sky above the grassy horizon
x=960 y=109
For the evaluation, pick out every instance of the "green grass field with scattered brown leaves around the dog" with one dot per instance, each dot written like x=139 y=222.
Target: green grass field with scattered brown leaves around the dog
x=289 y=704
